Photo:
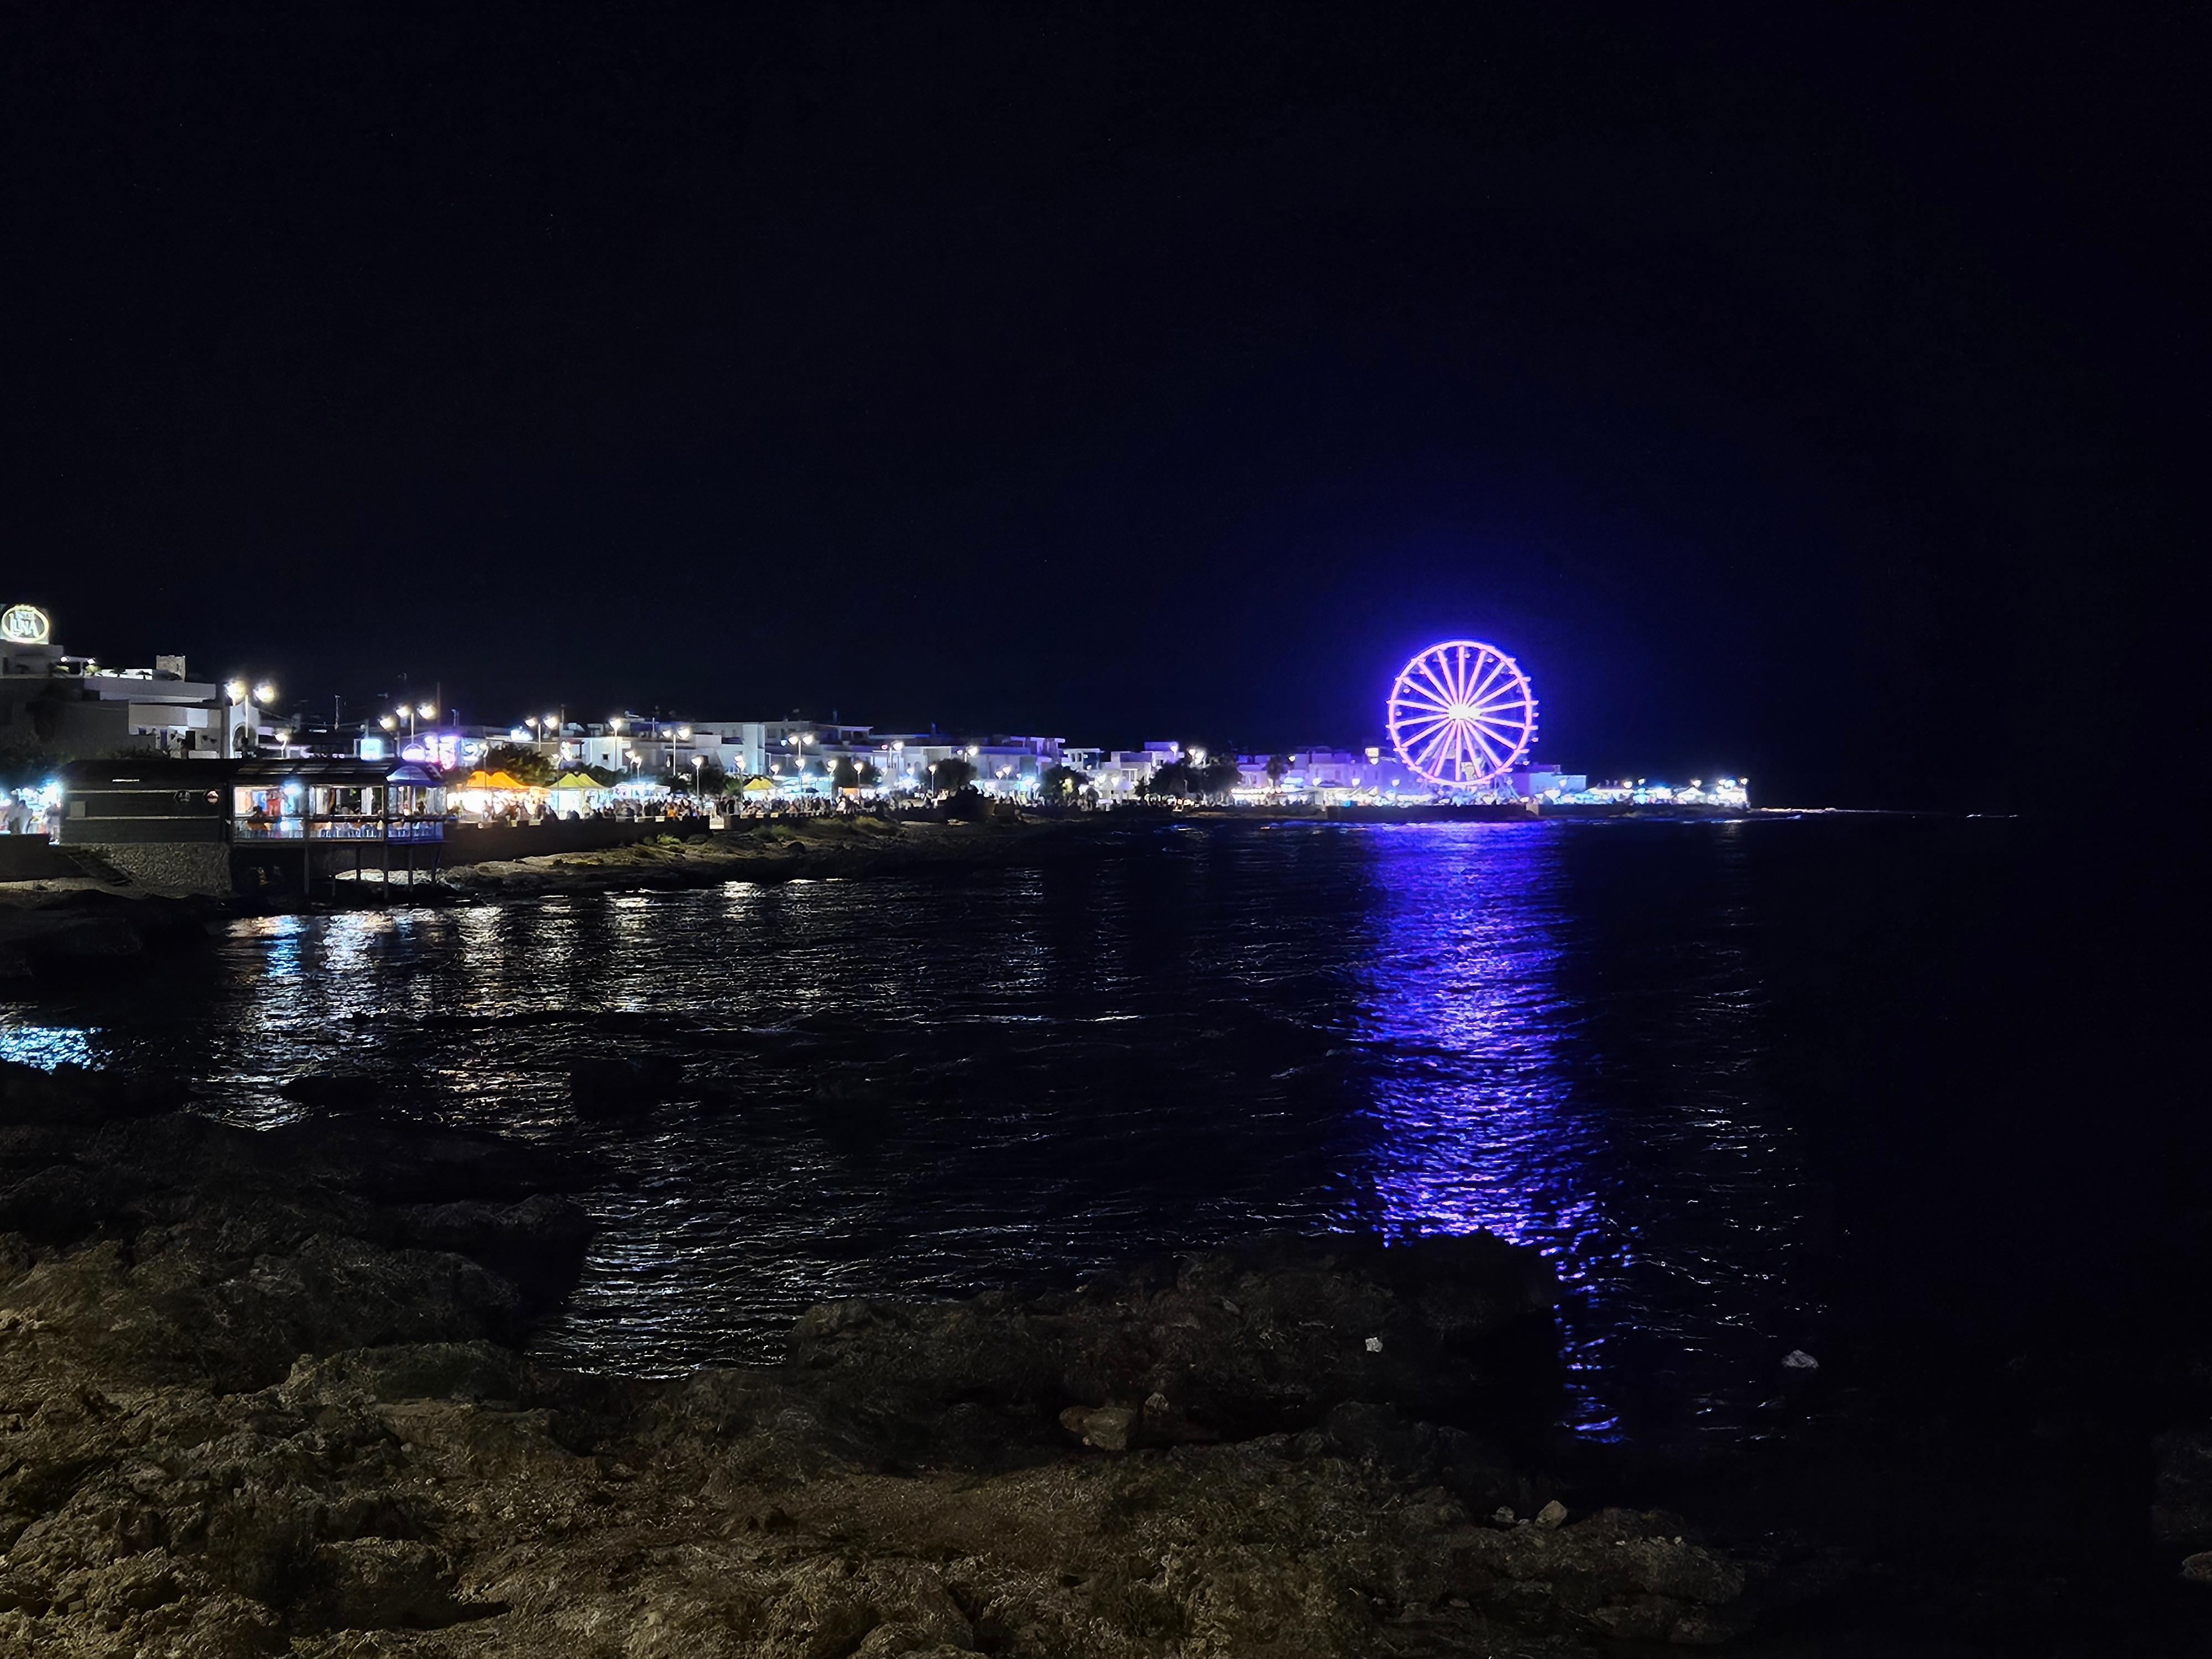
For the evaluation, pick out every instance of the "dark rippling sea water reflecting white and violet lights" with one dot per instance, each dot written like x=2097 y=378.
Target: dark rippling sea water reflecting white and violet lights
x=1738 y=1081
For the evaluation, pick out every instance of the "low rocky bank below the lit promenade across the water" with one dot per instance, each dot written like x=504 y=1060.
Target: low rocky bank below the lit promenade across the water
x=782 y=851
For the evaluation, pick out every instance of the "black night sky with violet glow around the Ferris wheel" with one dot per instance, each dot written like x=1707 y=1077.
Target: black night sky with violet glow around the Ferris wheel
x=1804 y=393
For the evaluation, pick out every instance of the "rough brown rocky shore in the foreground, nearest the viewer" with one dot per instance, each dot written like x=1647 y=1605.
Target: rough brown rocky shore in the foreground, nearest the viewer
x=262 y=1392
